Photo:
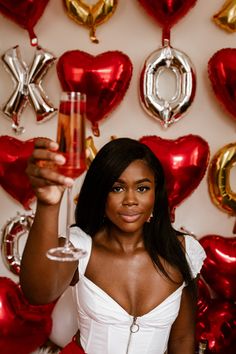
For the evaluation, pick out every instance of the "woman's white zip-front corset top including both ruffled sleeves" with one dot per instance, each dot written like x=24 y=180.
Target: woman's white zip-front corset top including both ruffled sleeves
x=106 y=328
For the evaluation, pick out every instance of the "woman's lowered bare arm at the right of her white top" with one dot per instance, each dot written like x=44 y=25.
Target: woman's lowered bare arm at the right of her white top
x=182 y=335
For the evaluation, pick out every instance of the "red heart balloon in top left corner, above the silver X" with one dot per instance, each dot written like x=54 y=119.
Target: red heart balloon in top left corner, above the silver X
x=25 y=13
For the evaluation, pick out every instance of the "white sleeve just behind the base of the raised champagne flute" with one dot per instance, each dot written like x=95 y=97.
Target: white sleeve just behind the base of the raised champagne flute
x=81 y=240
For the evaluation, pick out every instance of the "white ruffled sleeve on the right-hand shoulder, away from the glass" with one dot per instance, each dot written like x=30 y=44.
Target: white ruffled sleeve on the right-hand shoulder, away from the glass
x=195 y=254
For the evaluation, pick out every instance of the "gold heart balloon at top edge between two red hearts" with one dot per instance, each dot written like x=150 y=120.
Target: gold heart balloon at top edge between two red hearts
x=90 y=16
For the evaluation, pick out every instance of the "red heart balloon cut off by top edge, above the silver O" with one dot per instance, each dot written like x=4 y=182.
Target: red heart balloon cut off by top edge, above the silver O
x=167 y=12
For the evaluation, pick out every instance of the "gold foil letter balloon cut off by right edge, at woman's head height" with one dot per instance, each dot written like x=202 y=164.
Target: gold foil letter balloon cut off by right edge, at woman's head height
x=219 y=179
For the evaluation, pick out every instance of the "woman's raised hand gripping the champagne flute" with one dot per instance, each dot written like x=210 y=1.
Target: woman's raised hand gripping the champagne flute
x=47 y=183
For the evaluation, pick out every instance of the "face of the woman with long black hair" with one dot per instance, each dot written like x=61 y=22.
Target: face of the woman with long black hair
x=131 y=200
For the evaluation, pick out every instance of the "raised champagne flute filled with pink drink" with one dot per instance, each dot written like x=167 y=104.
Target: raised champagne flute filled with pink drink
x=71 y=140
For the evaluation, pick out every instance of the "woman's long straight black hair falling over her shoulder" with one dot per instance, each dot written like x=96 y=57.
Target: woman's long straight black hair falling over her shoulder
x=160 y=238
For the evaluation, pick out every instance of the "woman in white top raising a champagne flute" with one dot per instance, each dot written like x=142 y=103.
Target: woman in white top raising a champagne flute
x=136 y=288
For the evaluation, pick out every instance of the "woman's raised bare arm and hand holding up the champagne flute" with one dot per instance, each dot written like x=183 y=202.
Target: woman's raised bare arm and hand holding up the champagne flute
x=41 y=279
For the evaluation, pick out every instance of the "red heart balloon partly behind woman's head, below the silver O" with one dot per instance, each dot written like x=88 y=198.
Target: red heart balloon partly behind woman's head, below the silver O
x=184 y=161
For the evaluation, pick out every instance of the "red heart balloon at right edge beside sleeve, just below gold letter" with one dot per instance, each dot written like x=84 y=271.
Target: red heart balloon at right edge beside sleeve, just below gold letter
x=219 y=268
